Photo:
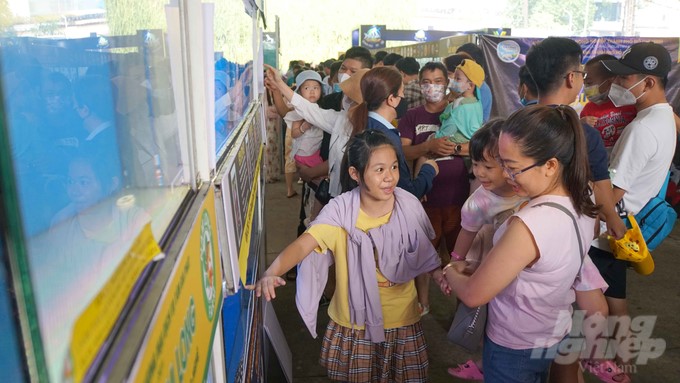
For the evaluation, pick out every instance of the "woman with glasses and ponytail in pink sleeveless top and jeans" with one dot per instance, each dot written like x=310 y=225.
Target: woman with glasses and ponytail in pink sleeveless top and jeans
x=539 y=259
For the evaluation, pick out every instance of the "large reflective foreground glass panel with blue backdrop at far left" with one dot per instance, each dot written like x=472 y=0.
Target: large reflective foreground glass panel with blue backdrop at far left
x=95 y=142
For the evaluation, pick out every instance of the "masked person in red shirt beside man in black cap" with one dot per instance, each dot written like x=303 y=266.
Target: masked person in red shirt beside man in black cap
x=600 y=112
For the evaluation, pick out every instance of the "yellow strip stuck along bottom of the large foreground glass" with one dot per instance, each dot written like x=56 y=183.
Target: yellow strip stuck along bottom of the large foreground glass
x=95 y=323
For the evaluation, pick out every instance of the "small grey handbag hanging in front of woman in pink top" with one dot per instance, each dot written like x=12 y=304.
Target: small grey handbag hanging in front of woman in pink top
x=467 y=329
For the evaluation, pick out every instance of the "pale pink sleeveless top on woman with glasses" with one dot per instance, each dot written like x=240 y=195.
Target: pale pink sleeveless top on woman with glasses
x=526 y=314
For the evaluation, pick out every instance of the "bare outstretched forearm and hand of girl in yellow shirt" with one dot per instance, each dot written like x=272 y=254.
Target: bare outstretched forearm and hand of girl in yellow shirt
x=289 y=257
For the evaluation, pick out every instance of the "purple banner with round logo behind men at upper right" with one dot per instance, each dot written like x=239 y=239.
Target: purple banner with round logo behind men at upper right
x=505 y=55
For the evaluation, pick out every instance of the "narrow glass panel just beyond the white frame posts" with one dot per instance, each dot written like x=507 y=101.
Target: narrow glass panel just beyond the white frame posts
x=233 y=67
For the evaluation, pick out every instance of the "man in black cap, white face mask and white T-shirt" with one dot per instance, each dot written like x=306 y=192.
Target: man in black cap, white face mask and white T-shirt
x=642 y=156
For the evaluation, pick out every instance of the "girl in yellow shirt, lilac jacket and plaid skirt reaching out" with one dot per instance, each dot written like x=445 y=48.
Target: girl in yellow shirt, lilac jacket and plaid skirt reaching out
x=374 y=235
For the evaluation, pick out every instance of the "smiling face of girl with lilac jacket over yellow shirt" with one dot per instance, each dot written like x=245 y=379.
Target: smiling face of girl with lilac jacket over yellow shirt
x=380 y=175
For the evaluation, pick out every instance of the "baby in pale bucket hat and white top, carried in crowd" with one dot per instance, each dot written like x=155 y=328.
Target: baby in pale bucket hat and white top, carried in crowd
x=306 y=137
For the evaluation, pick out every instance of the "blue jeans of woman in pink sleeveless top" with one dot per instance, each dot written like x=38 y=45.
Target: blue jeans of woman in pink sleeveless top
x=506 y=365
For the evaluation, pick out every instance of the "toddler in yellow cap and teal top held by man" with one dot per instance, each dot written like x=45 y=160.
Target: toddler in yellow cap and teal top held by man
x=461 y=119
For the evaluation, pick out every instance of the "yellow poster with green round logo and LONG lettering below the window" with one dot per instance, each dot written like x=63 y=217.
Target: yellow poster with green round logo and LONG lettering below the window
x=179 y=344
